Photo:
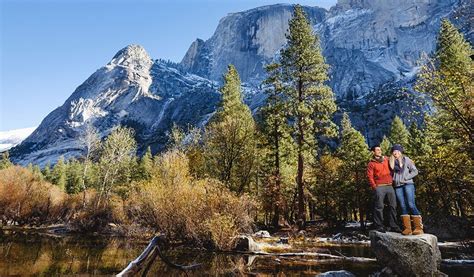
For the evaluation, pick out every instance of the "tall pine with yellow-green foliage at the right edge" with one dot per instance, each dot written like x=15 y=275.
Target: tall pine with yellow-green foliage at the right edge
x=447 y=78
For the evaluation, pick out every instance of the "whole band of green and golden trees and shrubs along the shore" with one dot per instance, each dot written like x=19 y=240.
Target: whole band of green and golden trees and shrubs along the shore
x=288 y=164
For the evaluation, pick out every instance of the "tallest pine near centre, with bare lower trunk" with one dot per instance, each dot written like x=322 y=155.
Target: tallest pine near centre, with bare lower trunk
x=311 y=102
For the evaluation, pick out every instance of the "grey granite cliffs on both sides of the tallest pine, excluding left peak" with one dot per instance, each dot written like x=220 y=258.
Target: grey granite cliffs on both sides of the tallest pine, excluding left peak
x=372 y=48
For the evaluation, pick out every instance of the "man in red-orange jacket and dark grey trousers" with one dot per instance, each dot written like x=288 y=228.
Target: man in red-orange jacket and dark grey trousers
x=380 y=180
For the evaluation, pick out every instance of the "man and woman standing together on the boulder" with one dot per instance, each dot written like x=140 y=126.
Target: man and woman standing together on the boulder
x=392 y=177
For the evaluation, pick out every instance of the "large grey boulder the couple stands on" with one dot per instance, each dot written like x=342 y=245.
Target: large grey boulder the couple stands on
x=407 y=255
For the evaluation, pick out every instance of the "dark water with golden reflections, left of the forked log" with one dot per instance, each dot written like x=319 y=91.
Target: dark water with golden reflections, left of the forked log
x=46 y=255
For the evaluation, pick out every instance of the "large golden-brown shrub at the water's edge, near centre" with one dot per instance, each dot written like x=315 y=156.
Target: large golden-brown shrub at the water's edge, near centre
x=199 y=211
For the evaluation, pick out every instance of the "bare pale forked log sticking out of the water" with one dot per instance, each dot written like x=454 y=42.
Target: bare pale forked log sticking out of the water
x=153 y=250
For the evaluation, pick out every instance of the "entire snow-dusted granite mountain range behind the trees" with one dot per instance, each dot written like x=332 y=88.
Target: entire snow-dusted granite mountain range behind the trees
x=371 y=46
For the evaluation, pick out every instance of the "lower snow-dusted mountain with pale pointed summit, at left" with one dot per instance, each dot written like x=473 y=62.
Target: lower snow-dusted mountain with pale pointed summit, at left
x=131 y=90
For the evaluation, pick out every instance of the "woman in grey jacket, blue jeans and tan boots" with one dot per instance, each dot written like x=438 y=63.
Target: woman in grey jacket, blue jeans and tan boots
x=403 y=171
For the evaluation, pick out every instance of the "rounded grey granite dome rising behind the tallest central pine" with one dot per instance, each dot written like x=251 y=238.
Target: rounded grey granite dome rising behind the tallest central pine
x=249 y=40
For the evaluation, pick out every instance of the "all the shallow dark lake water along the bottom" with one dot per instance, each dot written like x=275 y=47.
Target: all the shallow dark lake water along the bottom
x=44 y=255
